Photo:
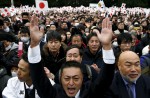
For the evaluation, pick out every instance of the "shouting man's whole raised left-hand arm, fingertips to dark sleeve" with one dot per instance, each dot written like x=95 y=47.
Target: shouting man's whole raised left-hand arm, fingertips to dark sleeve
x=38 y=75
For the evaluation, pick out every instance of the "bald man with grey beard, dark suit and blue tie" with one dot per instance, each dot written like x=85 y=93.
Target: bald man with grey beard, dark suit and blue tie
x=128 y=82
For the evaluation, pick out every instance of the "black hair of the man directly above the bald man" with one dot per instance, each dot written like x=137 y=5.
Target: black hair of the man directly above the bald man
x=124 y=37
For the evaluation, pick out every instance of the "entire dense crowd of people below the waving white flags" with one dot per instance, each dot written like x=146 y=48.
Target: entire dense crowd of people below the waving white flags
x=75 y=53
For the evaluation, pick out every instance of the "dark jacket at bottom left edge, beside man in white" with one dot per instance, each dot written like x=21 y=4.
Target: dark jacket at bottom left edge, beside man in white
x=3 y=79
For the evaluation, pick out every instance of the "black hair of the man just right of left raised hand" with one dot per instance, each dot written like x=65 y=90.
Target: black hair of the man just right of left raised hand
x=53 y=35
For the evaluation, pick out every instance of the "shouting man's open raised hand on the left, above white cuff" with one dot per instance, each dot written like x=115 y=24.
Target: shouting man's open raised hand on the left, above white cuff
x=36 y=34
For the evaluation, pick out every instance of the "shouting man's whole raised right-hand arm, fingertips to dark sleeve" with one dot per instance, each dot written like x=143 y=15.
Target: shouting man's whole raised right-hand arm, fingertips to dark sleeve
x=105 y=77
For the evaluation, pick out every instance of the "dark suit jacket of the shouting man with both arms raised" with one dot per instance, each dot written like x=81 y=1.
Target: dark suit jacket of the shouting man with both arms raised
x=94 y=89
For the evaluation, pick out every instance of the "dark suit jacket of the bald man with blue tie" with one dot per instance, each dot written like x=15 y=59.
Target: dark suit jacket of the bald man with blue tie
x=118 y=88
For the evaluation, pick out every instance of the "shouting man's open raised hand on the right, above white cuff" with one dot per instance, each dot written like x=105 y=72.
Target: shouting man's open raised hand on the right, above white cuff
x=106 y=34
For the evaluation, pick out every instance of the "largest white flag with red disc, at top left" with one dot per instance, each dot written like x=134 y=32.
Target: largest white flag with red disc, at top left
x=41 y=5
